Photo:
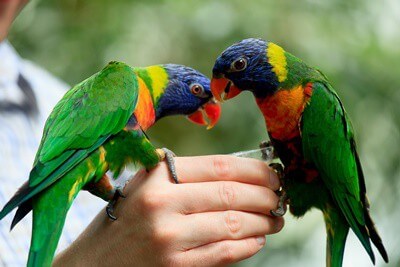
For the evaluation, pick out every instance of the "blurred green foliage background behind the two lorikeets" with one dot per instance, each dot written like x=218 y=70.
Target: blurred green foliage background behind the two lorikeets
x=355 y=43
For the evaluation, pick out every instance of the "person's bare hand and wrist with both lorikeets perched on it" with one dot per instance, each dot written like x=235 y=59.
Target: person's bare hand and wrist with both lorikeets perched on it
x=217 y=215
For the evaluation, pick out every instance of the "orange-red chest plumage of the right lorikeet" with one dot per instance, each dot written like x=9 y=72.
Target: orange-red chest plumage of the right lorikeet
x=282 y=111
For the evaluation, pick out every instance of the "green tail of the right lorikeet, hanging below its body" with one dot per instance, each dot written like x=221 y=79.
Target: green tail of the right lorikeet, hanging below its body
x=337 y=229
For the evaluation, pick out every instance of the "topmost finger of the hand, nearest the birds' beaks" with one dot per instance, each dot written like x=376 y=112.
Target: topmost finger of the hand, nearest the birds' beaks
x=223 y=168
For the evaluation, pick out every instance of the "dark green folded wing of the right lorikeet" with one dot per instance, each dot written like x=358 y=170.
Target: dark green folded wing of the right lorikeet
x=328 y=142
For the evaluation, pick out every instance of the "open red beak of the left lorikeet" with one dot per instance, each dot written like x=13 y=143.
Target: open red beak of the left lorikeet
x=211 y=110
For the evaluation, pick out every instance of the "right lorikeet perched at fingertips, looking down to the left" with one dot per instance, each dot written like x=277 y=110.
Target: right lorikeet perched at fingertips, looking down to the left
x=312 y=135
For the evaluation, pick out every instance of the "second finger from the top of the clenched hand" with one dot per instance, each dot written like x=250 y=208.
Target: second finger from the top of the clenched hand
x=218 y=196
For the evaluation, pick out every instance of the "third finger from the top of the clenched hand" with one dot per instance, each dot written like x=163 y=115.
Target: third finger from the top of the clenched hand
x=211 y=227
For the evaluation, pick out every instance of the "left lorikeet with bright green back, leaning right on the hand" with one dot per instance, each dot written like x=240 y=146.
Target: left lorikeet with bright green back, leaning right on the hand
x=98 y=126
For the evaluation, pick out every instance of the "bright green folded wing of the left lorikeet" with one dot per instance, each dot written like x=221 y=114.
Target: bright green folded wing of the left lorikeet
x=82 y=121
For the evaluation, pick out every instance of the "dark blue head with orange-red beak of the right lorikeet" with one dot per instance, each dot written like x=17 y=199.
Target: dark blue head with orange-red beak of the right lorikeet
x=244 y=66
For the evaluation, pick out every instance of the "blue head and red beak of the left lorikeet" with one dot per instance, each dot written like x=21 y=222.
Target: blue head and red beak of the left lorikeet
x=188 y=93
